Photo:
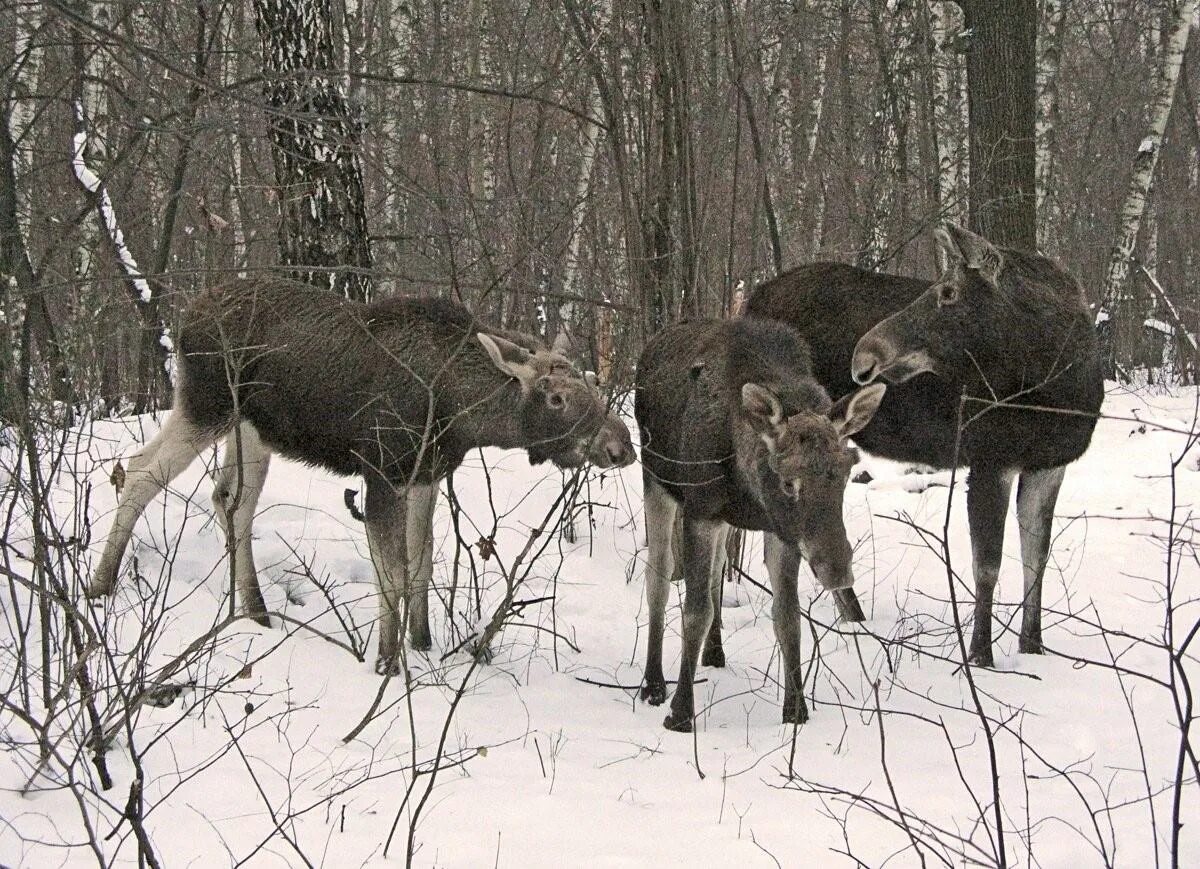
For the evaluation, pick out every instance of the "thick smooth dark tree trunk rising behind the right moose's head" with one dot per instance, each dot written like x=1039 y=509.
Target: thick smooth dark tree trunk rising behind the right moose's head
x=1003 y=106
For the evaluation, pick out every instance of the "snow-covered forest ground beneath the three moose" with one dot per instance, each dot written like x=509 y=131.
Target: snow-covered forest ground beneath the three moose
x=547 y=762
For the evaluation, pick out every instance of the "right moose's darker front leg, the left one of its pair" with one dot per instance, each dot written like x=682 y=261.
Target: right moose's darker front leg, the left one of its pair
x=988 y=496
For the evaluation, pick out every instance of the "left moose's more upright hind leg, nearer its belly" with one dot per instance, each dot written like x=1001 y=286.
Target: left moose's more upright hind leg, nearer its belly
x=238 y=489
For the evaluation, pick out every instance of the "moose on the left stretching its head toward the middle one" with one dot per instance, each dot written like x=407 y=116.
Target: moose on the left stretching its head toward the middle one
x=395 y=392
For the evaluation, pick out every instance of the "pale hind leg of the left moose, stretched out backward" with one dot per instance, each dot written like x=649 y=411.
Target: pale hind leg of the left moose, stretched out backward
x=151 y=471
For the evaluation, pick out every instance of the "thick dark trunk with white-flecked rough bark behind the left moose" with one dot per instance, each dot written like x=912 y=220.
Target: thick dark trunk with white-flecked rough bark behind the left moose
x=315 y=145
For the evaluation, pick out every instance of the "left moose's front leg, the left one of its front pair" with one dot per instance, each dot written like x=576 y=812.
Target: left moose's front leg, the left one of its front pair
x=386 y=540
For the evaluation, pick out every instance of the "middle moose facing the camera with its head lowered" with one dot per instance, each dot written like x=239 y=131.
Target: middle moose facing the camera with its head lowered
x=736 y=433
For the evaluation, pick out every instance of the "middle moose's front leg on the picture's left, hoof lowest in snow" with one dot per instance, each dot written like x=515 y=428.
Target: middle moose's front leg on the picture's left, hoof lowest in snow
x=700 y=546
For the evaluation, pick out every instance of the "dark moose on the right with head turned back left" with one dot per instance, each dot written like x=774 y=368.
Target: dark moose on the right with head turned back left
x=993 y=367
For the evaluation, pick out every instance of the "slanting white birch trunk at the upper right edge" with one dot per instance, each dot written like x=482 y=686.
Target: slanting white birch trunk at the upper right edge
x=1119 y=302
